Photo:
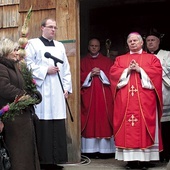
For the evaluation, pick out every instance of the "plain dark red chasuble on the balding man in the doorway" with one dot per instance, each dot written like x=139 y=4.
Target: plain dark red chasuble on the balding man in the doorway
x=96 y=100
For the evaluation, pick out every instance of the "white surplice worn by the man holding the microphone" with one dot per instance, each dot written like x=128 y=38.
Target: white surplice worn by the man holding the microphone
x=53 y=105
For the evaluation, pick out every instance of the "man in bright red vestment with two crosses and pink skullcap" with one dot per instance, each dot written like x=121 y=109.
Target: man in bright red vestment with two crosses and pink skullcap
x=136 y=82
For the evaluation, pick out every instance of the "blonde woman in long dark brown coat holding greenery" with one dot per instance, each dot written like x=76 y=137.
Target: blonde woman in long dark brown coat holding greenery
x=19 y=134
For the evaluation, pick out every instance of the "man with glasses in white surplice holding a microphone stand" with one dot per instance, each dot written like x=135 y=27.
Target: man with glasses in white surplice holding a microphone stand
x=51 y=132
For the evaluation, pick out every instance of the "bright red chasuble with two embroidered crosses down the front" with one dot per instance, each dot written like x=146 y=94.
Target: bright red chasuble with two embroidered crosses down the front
x=135 y=107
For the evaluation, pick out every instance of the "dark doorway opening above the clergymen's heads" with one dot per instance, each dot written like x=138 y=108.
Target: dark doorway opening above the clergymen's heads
x=105 y=19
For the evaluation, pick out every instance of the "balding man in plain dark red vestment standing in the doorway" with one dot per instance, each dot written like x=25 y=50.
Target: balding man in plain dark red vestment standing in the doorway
x=96 y=102
